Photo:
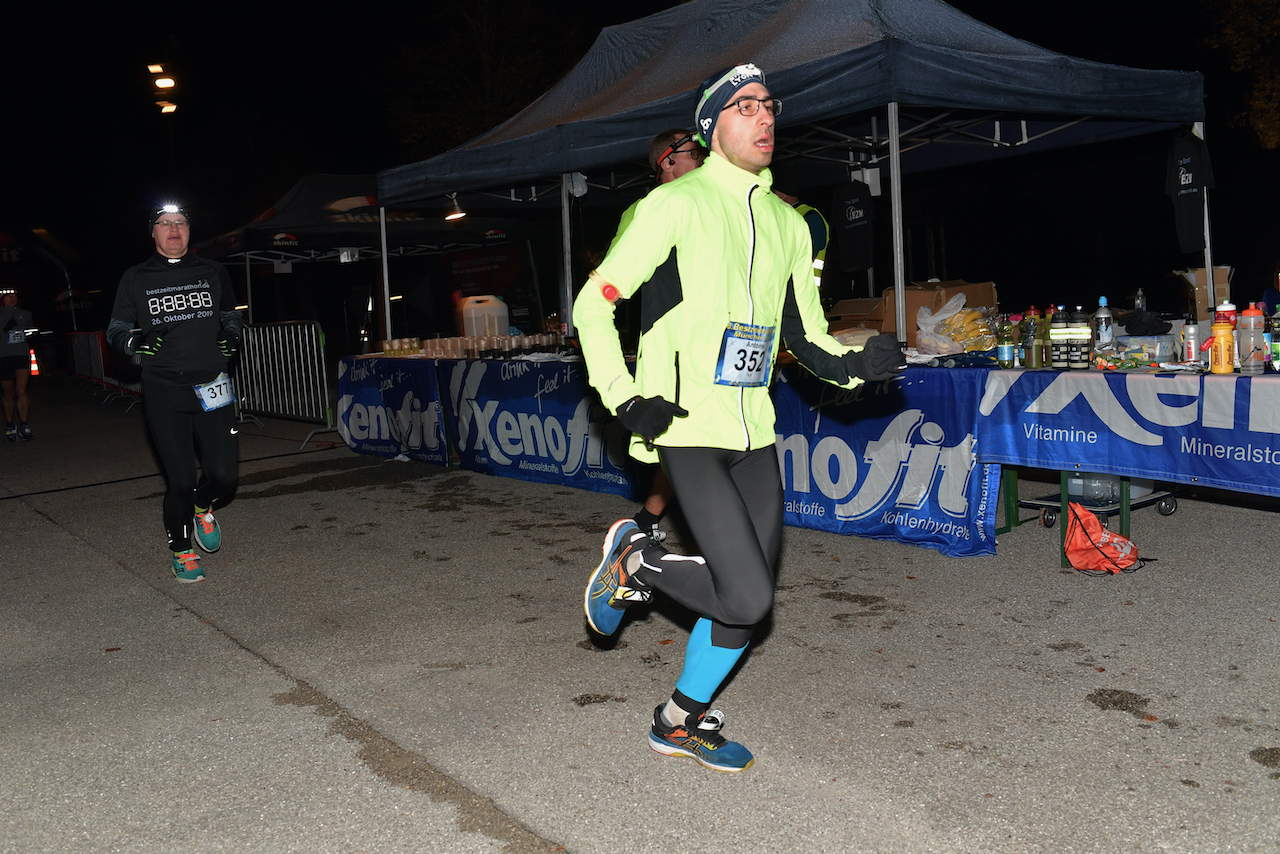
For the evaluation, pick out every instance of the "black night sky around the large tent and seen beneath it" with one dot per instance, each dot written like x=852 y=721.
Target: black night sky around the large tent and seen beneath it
x=275 y=92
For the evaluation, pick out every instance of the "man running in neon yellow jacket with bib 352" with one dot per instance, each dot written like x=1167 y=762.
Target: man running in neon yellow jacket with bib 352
x=726 y=272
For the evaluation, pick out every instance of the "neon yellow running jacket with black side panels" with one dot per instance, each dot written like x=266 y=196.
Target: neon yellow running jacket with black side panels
x=734 y=253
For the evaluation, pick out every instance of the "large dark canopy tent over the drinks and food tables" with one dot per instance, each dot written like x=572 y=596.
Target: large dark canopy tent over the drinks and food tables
x=831 y=62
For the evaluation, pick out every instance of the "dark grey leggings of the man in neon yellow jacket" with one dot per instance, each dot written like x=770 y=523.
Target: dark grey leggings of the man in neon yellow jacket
x=733 y=501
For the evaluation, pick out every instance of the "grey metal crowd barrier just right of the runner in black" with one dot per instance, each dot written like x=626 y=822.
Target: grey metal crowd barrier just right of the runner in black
x=281 y=373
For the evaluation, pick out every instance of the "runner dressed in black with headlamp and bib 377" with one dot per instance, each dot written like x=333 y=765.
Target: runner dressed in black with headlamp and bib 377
x=177 y=313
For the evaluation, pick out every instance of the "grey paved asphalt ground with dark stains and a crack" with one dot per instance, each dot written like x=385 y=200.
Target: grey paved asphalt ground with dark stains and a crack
x=392 y=657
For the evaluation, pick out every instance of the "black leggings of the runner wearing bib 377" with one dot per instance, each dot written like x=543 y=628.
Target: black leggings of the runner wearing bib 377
x=180 y=430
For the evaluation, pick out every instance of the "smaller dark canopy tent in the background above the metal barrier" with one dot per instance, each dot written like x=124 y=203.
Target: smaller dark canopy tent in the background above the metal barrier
x=326 y=218
